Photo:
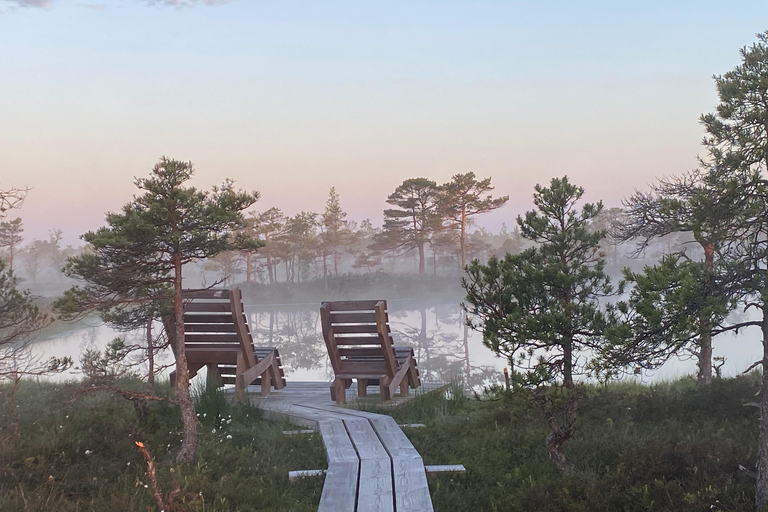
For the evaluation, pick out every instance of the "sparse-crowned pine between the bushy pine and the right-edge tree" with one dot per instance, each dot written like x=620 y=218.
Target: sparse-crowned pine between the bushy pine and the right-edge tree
x=703 y=204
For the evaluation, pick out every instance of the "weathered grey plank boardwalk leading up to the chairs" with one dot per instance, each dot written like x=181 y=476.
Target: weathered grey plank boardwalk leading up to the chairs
x=372 y=466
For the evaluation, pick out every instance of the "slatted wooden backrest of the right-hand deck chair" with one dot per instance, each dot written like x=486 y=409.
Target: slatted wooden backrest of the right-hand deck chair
x=357 y=336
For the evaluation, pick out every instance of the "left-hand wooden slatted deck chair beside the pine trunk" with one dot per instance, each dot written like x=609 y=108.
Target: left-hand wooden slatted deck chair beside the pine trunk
x=216 y=335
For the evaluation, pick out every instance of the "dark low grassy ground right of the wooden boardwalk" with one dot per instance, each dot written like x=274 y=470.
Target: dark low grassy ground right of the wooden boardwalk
x=664 y=447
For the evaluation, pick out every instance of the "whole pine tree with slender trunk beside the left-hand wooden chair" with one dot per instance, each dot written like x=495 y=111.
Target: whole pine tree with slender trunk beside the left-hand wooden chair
x=138 y=258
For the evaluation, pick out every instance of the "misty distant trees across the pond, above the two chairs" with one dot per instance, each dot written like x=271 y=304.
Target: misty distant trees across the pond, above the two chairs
x=424 y=215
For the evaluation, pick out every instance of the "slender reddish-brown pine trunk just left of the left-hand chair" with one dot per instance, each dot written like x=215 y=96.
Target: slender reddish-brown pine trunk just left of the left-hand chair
x=183 y=397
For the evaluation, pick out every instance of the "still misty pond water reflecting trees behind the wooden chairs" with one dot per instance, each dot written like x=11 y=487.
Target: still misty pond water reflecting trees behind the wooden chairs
x=445 y=349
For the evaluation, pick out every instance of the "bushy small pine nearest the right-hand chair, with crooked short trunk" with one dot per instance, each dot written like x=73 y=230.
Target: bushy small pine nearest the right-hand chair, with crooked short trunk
x=540 y=309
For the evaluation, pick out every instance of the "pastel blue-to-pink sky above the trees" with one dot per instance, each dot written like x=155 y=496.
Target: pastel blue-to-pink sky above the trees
x=293 y=97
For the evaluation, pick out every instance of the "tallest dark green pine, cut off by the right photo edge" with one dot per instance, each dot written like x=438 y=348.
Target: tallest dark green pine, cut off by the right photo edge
x=737 y=139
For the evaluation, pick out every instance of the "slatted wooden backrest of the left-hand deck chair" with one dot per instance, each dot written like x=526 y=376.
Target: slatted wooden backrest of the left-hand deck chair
x=214 y=319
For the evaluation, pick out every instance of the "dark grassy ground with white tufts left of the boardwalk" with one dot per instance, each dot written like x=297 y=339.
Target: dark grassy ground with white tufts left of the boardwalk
x=78 y=453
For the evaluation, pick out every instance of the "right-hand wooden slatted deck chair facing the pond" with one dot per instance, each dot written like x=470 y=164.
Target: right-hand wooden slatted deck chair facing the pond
x=359 y=343
